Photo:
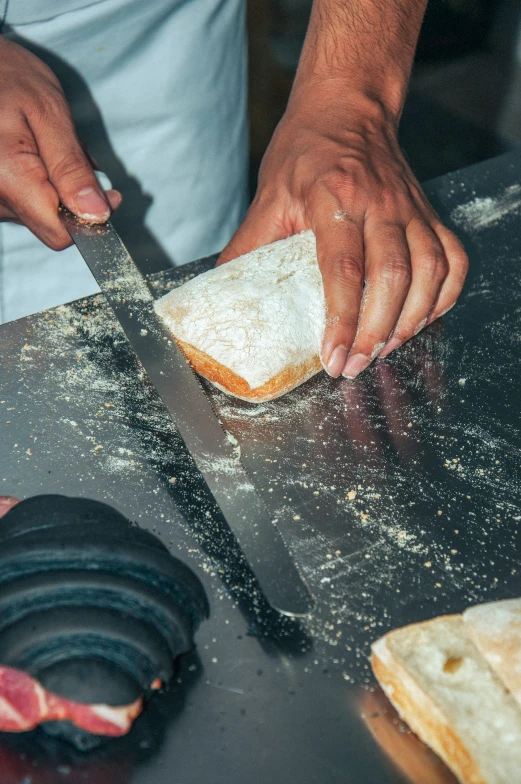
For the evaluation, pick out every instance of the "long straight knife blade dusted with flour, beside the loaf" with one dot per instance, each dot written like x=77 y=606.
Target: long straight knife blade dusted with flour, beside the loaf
x=186 y=402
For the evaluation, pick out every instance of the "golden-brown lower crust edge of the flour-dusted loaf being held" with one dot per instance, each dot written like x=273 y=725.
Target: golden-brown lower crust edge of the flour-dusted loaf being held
x=233 y=384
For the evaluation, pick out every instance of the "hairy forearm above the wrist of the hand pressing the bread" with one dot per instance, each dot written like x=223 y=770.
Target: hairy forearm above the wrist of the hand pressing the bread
x=365 y=47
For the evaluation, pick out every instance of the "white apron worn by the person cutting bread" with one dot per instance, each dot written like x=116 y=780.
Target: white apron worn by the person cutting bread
x=158 y=93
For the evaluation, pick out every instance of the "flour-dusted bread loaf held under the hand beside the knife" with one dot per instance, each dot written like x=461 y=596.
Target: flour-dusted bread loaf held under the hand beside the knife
x=254 y=326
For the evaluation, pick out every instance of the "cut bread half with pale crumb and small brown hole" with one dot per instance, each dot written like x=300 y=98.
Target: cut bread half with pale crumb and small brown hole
x=441 y=685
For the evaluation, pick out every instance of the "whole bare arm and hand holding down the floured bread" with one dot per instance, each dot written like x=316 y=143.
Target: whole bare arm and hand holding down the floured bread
x=389 y=266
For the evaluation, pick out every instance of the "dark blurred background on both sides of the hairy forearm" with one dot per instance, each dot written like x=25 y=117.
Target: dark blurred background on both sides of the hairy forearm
x=464 y=101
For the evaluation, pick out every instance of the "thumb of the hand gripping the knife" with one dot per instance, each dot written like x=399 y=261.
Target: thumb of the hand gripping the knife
x=67 y=165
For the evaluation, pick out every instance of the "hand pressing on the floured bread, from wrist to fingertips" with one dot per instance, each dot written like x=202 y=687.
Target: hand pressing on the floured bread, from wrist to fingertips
x=334 y=165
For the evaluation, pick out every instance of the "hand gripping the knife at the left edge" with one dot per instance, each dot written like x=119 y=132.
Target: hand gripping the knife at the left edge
x=42 y=162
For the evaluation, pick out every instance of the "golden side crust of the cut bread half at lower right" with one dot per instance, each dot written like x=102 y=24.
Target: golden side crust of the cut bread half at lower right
x=422 y=714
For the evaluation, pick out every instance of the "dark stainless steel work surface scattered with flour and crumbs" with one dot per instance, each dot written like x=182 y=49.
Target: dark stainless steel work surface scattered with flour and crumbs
x=397 y=493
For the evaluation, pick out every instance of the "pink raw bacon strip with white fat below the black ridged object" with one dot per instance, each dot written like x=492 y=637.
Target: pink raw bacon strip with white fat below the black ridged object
x=24 y=704
